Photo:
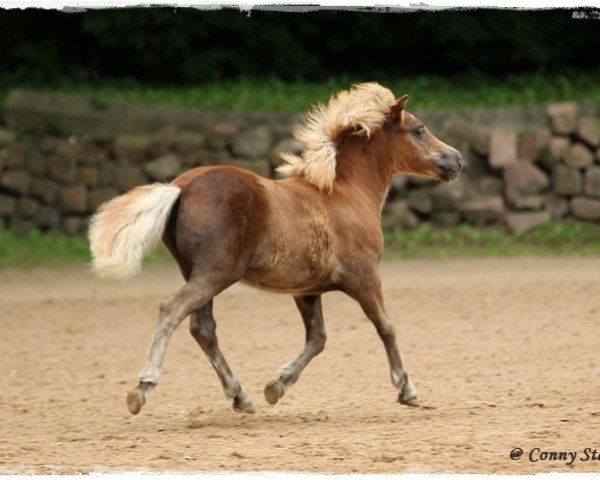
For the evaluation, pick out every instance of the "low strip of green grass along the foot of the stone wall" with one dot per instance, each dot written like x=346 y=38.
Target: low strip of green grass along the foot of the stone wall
x=573 y=238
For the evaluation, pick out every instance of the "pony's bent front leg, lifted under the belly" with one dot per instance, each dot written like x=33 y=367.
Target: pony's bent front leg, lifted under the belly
x=312 y=316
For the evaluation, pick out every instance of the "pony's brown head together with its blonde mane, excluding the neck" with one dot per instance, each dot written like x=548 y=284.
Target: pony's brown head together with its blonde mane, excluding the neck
x=368 y=110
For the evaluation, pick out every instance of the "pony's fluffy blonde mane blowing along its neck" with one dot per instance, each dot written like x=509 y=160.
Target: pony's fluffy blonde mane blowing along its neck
x=363 y=109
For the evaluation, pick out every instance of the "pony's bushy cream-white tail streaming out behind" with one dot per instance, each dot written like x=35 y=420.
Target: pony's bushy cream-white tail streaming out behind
x=126 y=227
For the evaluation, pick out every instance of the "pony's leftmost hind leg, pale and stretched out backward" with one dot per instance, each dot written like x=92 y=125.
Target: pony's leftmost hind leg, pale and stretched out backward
x=192 y=296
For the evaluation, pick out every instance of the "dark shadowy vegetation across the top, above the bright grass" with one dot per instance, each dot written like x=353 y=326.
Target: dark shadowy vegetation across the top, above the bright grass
x=188 y=46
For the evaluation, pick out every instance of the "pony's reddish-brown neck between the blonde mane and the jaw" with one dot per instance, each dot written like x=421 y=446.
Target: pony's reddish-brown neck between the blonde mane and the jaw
x=364 y=167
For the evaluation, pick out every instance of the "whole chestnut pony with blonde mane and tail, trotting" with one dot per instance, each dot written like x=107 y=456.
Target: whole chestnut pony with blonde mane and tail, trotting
x=316 y=231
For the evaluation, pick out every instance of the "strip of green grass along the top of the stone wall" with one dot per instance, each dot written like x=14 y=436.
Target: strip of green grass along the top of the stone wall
x=427 y=92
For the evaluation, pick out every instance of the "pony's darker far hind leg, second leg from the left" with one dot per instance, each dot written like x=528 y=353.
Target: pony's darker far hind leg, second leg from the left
x=203 y=329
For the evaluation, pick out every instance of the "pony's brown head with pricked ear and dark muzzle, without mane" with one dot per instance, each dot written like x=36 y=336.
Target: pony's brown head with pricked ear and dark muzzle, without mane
x=415 y=150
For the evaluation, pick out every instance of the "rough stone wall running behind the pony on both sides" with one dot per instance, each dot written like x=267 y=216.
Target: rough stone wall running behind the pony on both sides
x=61 y=156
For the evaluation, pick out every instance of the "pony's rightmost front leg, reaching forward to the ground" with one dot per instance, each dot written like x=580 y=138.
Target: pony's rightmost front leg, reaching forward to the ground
x=371 y=301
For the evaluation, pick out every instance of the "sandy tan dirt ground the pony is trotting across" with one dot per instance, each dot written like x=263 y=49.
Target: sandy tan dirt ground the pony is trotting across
x=504 y=353
